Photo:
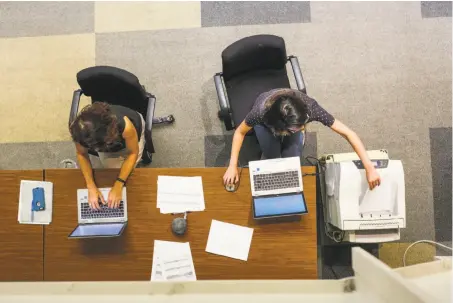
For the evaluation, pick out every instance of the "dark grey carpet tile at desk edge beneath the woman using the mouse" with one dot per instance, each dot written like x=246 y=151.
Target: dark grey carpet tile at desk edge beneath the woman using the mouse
x=217 y=149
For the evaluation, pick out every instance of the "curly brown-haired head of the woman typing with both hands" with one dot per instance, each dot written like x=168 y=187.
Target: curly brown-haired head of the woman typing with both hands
x=95 y=127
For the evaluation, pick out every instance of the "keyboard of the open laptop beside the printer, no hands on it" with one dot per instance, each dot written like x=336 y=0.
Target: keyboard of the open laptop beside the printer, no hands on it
x=275 y=181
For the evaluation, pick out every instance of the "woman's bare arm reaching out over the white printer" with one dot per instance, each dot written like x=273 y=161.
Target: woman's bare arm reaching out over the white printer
x=353 y=139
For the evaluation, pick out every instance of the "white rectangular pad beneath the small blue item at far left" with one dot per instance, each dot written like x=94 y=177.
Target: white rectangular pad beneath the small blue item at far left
x=25 y=214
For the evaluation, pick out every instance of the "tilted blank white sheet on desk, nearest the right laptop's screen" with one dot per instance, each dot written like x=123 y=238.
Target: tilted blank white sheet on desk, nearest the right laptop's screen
x=229 y=240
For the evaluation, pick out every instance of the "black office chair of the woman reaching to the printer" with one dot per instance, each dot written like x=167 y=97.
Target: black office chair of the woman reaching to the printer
x=251 y=66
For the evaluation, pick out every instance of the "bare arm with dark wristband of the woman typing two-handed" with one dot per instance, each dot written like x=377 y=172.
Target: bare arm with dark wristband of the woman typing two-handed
x=131 y=138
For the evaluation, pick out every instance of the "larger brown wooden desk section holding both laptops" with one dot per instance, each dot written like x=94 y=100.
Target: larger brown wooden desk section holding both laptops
x=279 y=251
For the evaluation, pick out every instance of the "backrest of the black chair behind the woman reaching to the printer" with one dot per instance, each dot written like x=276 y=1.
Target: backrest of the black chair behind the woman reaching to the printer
x=259 y=52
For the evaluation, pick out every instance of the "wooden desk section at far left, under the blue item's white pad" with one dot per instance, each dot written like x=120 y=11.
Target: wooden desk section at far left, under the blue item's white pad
x=21 y=245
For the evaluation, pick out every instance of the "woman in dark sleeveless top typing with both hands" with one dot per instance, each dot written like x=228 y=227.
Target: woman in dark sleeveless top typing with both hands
x=117 y=134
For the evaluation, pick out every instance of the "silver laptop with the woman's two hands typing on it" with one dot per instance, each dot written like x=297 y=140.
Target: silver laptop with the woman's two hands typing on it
x=106 y=222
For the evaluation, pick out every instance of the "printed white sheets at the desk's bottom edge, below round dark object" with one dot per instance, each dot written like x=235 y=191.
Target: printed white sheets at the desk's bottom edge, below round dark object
x=172 y=261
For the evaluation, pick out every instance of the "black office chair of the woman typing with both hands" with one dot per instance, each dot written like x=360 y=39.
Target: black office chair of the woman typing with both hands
x=118 y=87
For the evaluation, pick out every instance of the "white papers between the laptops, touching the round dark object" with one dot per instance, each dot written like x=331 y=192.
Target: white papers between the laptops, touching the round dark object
x=179 y=194
